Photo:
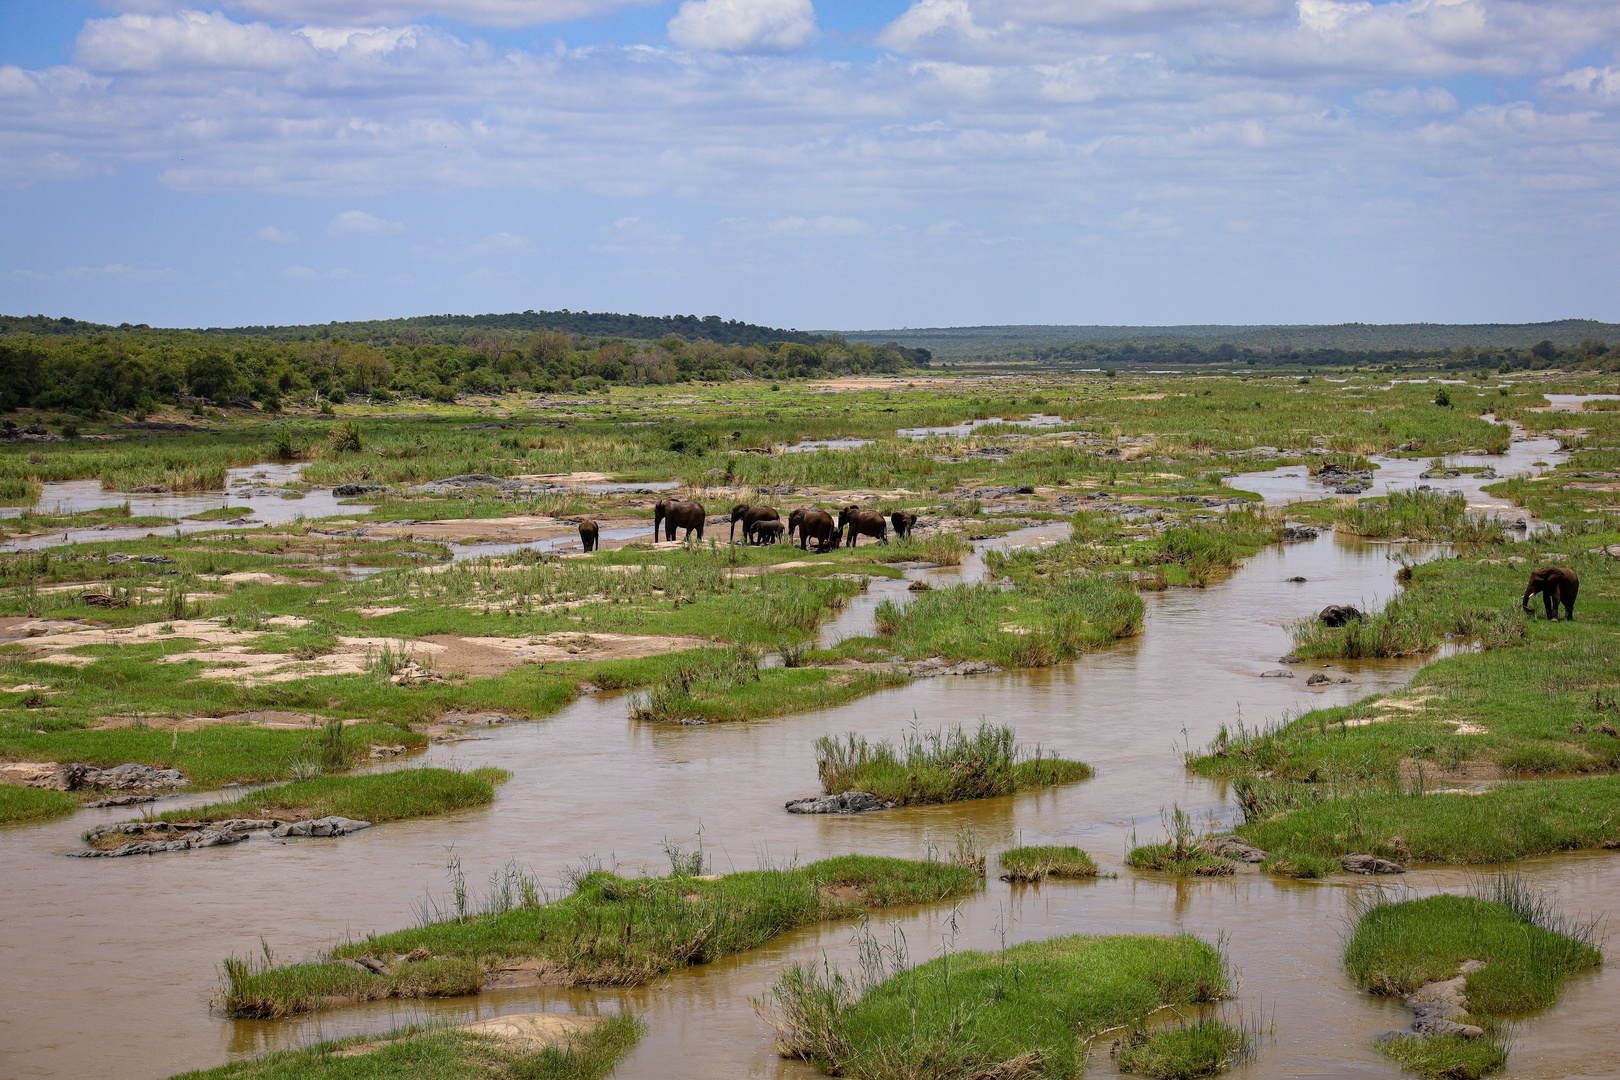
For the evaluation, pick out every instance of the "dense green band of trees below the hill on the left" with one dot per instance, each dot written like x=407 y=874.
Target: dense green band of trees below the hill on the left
x=88 y=370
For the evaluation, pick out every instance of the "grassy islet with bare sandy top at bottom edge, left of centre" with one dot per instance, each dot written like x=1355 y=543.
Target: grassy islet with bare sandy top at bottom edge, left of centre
x=441 y=1055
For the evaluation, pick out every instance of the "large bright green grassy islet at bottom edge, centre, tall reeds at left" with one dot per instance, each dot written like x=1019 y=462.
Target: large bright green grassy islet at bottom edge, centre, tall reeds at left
x=1020 y=1013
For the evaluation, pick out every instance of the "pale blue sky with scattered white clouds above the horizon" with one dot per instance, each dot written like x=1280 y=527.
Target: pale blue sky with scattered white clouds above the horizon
x=812 y=164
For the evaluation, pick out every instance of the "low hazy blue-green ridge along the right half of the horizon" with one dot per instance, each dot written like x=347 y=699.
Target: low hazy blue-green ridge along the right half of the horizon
x=1002 y=341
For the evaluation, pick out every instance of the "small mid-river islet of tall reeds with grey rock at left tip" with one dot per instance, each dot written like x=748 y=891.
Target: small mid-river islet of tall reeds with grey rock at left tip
x=942 y=767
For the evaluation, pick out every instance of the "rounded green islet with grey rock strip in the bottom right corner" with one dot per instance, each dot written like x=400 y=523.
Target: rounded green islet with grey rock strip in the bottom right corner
x=1525 y=948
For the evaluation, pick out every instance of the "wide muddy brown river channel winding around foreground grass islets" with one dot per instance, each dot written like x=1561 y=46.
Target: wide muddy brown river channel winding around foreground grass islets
x=109 y=964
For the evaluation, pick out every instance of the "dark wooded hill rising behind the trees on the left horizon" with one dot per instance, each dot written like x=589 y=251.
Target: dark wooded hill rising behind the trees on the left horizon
x=451 y=328
